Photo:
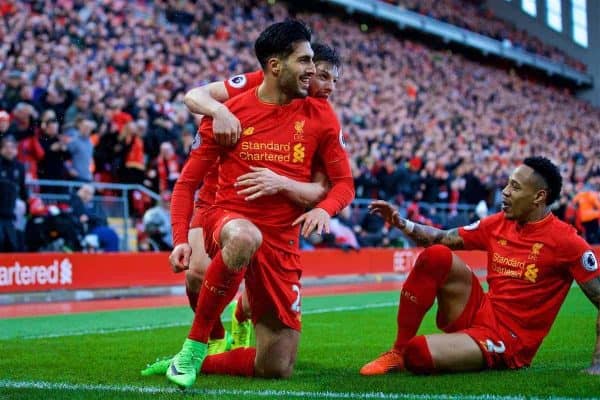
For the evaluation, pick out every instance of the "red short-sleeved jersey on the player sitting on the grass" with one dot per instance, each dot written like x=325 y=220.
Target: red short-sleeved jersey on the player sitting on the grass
x=530 y=270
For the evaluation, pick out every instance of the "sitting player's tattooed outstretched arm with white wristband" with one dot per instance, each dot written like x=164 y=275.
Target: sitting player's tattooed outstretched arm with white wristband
x=422 y=235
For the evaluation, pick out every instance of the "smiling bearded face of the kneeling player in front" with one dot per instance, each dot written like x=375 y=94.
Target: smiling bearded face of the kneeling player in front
x=296 y=71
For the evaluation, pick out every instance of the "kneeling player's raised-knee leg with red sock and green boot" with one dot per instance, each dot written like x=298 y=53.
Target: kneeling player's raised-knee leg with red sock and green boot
x=239 y=239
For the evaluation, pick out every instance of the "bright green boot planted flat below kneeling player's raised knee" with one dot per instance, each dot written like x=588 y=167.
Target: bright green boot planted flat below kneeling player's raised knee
x=186 y=364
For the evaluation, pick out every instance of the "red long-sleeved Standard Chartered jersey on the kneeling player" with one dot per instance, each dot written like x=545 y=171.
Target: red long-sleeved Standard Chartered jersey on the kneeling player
x=284 y=139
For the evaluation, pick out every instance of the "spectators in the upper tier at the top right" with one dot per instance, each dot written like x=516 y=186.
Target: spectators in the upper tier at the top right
x=475 y=16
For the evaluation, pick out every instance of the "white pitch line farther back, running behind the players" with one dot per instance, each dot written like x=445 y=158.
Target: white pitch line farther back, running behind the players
x=103 y=331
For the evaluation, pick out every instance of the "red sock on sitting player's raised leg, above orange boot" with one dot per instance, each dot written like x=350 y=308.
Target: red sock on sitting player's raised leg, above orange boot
x=418 y=293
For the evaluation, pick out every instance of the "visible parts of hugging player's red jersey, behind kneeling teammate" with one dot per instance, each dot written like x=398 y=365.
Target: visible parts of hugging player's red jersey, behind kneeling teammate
x=235 y=85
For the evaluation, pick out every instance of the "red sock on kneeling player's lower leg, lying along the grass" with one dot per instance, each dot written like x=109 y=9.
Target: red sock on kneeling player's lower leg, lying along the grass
x=238 y=362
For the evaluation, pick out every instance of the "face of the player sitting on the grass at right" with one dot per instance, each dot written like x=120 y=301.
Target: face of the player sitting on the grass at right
x=521 y=196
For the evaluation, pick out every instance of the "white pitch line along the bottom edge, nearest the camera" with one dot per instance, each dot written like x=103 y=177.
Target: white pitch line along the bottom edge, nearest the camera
x=42 y=385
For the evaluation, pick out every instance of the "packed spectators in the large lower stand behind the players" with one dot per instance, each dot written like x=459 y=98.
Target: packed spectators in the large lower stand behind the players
x=93 y=91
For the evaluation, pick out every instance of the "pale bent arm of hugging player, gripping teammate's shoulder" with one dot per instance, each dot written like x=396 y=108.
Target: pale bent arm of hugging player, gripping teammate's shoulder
x=208 y=100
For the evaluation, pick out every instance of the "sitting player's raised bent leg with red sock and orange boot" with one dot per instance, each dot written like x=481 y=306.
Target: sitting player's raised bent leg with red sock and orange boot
x=437 y=273
